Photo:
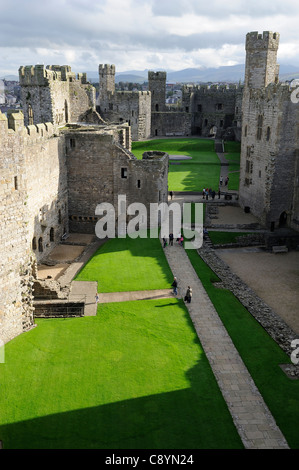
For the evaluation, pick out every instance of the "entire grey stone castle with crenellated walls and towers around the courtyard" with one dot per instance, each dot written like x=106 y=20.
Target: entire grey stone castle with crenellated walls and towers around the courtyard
x=65 y=153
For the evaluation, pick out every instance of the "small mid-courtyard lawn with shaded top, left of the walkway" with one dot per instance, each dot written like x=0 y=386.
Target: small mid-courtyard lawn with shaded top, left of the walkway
x=128 y=265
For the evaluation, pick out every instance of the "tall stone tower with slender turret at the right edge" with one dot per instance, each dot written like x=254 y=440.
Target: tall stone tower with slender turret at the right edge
x=269 y=144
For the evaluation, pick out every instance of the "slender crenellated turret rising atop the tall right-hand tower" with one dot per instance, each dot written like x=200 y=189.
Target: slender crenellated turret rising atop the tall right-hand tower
x=261 y=56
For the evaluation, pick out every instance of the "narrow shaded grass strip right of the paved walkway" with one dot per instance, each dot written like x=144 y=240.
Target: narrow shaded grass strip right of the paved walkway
x=259 y=352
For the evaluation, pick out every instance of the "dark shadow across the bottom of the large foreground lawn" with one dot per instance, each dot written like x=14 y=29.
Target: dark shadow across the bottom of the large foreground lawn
x=182 y=419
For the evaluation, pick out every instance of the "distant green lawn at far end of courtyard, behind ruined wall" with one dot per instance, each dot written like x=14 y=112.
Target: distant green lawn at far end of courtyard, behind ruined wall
x=186 y=175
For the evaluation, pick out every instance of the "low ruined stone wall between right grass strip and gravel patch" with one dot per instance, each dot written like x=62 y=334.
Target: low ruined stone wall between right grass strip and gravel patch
x=268 y=319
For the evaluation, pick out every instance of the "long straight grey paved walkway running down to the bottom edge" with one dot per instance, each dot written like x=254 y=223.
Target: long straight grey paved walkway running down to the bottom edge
x=250 y=414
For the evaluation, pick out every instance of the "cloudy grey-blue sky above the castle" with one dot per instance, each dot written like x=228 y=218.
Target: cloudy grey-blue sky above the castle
x=141 y=34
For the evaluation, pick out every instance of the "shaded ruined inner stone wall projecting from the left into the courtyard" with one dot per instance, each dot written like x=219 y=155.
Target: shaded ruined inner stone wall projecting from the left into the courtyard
x=100 y=169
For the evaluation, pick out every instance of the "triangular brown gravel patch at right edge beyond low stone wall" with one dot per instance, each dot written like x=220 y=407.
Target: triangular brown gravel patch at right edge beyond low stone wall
x=274 y=278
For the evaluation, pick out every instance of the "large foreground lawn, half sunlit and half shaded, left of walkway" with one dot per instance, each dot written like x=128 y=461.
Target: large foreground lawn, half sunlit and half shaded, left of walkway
x=133 y=377
